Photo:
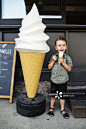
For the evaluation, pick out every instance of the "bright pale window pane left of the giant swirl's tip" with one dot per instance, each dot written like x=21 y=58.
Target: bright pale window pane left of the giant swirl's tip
x=13 y=9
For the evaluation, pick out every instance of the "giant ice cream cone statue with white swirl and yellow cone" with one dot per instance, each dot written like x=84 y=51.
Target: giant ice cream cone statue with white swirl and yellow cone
x=32 y=48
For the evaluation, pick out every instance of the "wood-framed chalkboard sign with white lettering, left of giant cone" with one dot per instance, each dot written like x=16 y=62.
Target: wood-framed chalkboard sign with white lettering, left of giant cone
x=7 y=68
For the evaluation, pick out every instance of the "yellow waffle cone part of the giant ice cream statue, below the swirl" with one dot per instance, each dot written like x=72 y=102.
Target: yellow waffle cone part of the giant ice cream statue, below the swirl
x=31 y=65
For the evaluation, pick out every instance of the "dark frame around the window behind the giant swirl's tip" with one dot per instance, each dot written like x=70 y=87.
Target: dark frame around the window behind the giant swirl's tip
x=45 y=20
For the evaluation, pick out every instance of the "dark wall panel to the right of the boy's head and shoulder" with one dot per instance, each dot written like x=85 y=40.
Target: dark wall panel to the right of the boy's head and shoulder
x=77 y=48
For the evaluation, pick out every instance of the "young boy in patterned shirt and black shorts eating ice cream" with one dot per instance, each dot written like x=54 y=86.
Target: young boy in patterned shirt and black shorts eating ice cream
x=59 y=74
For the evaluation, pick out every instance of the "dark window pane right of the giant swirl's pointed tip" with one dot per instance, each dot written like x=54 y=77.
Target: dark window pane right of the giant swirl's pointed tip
x=47 y=8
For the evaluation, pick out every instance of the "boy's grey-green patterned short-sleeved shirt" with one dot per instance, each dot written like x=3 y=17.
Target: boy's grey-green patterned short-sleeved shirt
x=59 y=74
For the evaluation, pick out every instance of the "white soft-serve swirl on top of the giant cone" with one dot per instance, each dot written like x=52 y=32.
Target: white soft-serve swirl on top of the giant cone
x=32 y=37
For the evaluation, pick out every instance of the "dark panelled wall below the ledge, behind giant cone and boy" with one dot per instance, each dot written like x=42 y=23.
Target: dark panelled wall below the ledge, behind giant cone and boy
x=76 y=49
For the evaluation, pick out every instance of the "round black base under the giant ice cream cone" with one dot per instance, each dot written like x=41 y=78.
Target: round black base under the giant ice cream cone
x=31 y=107
